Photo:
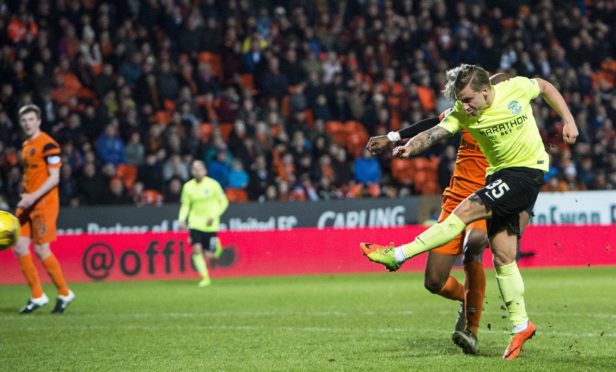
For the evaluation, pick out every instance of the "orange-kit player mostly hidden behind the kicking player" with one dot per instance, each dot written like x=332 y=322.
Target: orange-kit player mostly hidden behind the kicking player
x=468 y=175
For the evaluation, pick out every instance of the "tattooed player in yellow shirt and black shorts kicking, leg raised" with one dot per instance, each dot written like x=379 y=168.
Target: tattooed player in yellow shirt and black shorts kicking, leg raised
x=500 y=118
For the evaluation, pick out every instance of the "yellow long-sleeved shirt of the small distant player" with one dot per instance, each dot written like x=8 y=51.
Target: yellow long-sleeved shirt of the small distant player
x=202 y=201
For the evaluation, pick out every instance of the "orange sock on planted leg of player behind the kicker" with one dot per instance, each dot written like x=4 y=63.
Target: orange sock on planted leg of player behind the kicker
x=475 y=289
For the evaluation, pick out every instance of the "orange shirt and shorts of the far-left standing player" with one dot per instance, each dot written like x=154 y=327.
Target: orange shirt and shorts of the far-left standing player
x=38 y=155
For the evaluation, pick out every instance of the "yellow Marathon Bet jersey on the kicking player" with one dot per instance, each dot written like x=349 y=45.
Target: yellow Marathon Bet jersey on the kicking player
x=506 y=131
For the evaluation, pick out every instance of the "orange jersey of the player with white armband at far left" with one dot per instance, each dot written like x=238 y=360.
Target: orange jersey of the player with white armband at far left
x=37 y=156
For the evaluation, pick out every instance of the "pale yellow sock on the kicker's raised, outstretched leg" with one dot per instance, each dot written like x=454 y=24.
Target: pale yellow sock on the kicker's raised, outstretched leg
x=435 y=236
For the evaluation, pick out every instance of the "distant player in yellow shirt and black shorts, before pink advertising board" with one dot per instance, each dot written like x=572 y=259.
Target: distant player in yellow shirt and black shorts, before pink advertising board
x=203 y=201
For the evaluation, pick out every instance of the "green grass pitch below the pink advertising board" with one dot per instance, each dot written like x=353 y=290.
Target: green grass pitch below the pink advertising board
x=371 y=322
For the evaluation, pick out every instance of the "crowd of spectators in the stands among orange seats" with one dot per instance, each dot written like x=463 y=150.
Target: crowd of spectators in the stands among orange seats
x=280 y=97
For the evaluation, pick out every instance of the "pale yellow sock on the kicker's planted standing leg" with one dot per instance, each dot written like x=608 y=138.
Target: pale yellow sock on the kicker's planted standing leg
x=511 y=287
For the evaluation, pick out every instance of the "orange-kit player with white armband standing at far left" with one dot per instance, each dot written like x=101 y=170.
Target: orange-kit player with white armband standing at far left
x=37 y=211
